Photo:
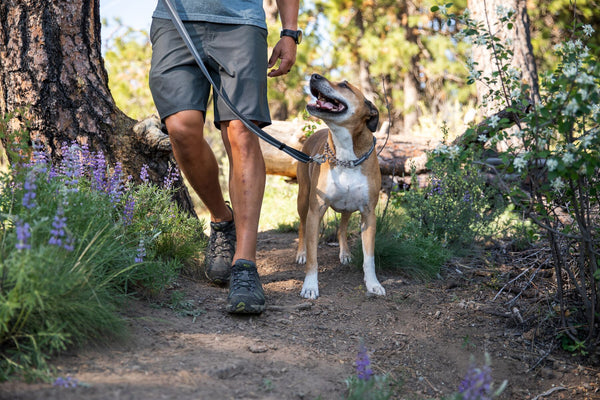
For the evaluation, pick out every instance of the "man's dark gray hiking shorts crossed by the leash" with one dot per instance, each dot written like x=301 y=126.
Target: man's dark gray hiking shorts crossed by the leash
x=235 y=56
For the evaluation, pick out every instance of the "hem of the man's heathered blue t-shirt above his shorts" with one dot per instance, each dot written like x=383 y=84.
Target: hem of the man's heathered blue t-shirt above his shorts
x=245 y=12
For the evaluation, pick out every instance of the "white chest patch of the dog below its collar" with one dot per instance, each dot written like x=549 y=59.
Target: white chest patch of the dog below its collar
x=347 y=189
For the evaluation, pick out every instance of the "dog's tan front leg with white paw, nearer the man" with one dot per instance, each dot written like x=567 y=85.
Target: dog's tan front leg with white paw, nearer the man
x=310 y=288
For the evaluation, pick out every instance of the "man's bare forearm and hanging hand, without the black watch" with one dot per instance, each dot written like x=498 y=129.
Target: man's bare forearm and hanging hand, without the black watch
x=285 y=49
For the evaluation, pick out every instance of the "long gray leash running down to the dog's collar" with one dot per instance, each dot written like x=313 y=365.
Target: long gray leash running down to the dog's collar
x=297 y=154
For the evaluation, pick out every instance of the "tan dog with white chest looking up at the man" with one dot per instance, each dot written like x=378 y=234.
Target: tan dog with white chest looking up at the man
x=339 y=183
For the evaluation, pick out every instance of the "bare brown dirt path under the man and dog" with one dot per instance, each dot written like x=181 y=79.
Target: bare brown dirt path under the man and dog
x=423 y=335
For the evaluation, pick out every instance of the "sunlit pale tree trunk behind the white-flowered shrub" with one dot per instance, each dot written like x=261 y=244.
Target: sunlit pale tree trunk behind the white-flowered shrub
x=486 y=12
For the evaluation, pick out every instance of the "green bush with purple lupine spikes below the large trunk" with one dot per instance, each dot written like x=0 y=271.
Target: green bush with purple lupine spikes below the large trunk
x=76 y=239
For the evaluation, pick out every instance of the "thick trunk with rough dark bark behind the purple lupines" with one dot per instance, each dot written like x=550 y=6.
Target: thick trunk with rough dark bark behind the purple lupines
x=52 y=77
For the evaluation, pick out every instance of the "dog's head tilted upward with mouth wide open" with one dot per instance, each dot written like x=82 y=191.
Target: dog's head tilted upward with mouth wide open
x=341 y=104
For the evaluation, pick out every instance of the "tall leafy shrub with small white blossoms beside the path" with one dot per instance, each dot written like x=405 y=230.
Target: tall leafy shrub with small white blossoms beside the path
x=554 y=152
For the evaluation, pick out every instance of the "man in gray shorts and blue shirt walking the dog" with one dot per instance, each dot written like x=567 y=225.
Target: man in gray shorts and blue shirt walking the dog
x=231 y=38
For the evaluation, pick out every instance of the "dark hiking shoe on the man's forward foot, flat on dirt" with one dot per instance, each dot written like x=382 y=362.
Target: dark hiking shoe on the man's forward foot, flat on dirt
x=246 y=295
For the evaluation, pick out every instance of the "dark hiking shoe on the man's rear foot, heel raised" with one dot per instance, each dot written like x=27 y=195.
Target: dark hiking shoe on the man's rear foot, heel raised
x=219 y=252
